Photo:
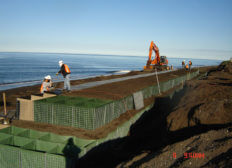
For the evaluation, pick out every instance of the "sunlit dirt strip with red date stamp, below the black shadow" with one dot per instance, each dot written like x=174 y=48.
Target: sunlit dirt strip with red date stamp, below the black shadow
x=211 y=149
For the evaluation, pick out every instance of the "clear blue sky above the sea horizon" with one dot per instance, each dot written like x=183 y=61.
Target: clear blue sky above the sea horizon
x=180 y=28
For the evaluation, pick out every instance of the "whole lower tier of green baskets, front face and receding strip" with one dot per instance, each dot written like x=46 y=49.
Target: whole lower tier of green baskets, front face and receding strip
x=18 y=147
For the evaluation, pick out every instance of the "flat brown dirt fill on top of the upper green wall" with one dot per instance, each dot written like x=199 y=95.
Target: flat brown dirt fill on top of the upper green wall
x=118 y=90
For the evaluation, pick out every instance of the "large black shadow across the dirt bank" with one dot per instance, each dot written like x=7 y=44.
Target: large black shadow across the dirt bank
x=149 y=133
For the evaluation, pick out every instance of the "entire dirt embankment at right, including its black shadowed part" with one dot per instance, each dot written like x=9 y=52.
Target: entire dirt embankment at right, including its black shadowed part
x=193 y=129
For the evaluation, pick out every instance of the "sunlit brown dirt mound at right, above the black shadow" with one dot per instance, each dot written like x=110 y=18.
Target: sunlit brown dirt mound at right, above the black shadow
x=207 y=101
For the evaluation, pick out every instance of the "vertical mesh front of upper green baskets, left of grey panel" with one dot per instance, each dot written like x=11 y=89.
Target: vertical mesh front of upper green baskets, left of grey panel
x=80 y=117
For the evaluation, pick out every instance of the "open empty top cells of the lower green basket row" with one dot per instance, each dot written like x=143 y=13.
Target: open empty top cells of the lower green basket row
x=41 y=141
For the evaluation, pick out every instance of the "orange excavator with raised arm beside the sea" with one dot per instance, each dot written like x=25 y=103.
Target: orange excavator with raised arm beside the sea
x=159 y=62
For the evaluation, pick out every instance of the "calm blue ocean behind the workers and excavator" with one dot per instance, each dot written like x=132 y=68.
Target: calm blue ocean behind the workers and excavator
x=19 y=69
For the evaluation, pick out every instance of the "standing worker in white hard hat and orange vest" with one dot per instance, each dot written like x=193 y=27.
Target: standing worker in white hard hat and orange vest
x=65 y=71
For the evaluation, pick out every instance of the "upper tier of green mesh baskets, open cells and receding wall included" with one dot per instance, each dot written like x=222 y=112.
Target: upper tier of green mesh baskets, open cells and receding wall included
x=90 y=113
